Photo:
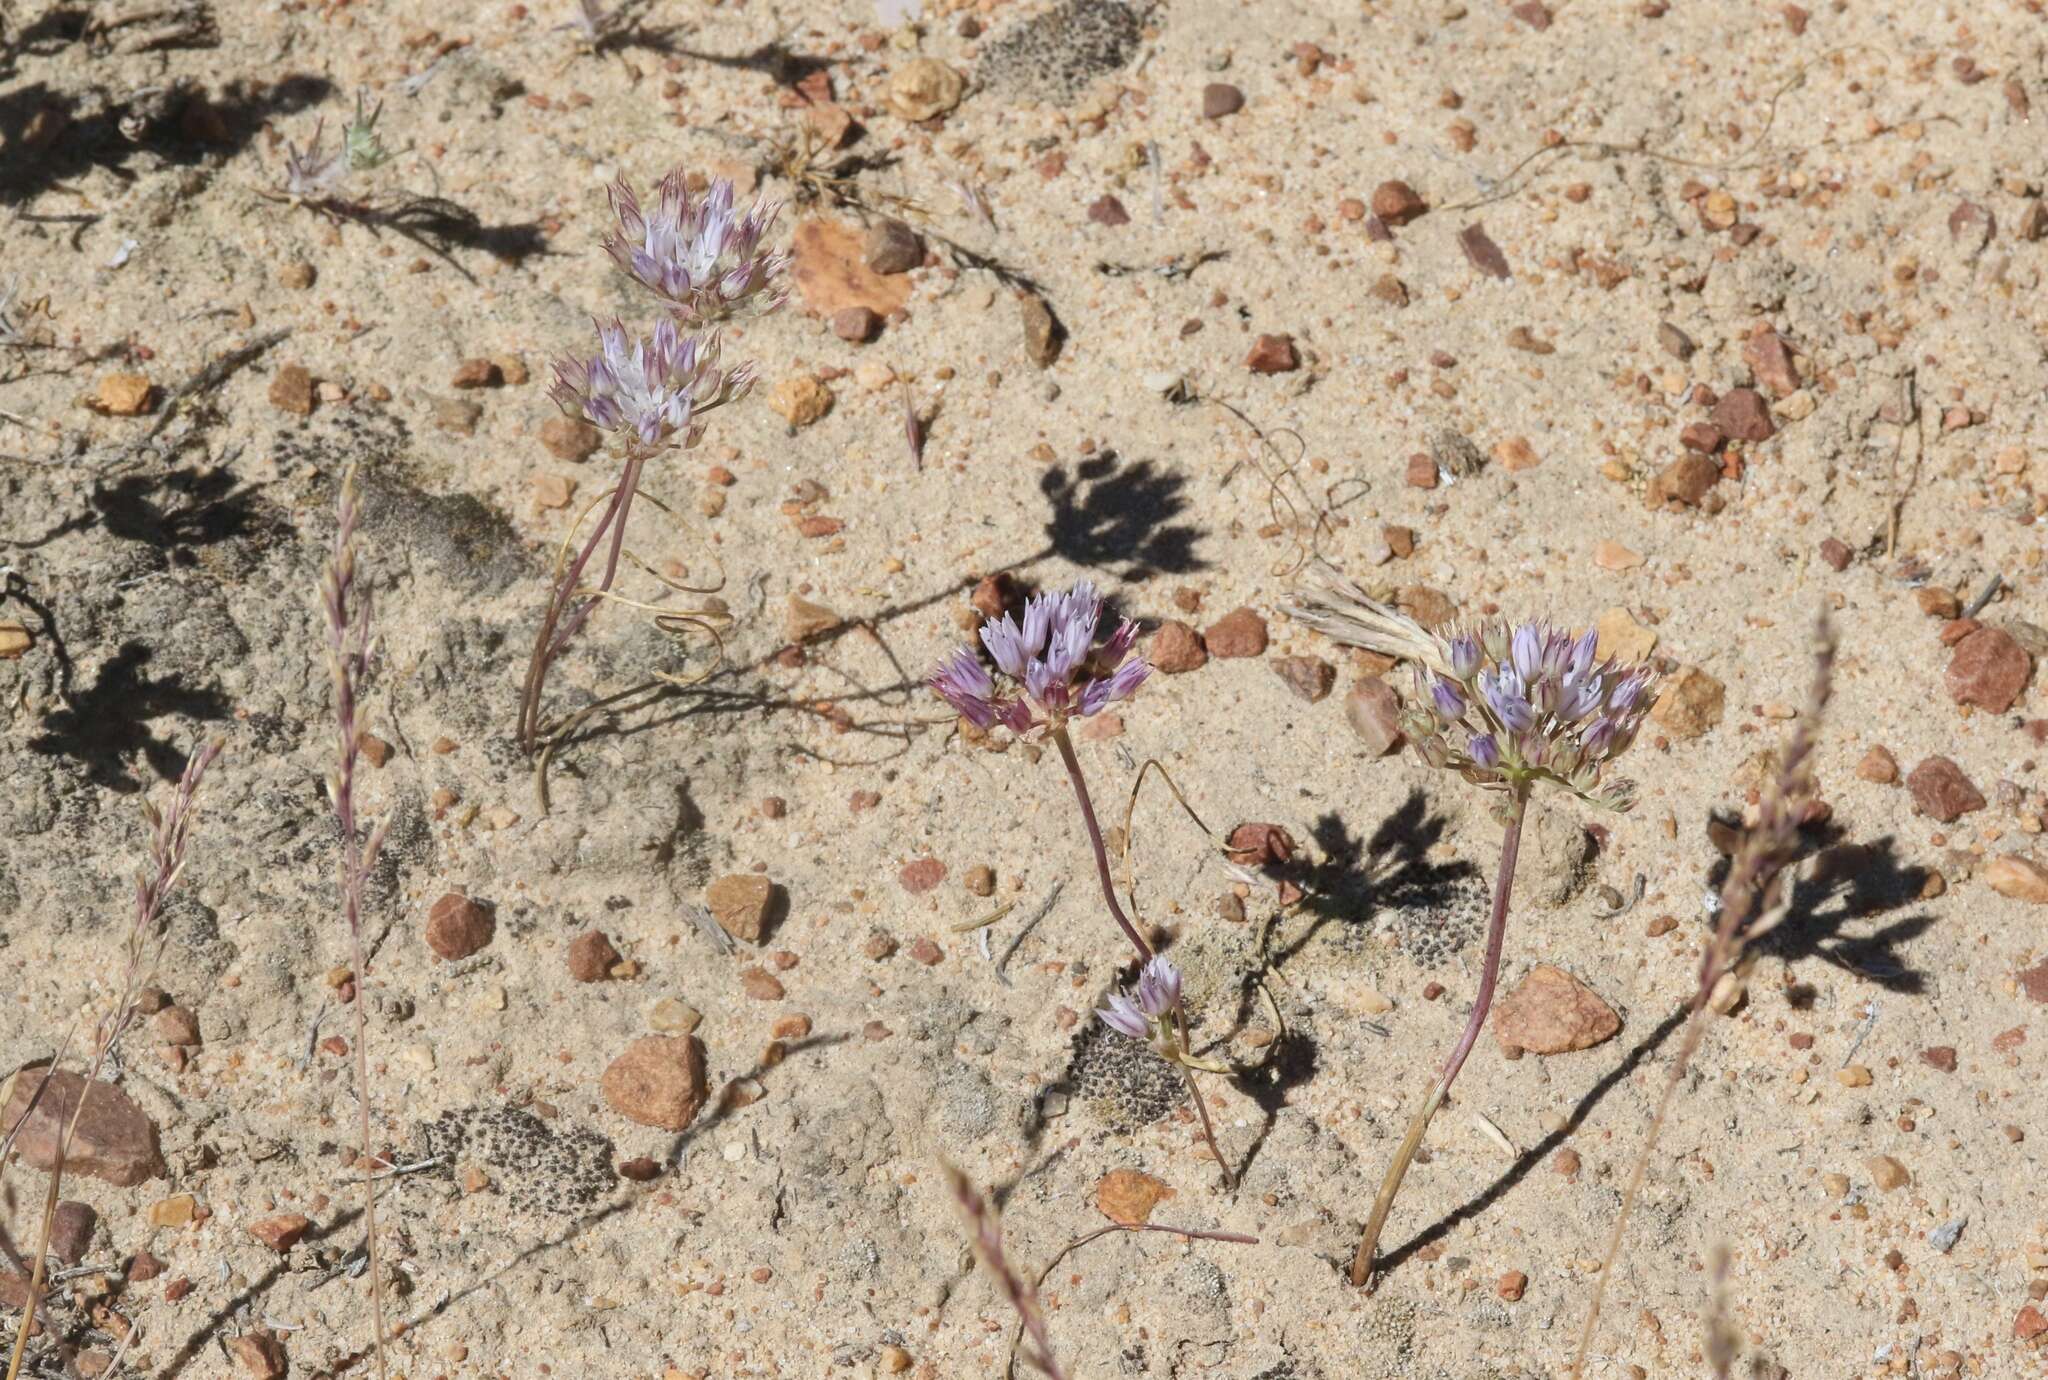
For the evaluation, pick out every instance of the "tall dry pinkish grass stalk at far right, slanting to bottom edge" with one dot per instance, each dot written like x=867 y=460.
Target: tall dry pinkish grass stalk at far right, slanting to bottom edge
x=1752 y=904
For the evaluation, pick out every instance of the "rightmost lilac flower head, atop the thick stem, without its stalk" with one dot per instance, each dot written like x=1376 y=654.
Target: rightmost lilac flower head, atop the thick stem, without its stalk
x=1531 y=703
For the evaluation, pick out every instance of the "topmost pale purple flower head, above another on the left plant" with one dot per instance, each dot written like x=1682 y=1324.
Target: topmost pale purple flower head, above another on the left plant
x=697 y=253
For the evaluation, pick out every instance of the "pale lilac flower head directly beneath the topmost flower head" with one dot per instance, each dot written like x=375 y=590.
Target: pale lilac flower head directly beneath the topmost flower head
x=648 y=386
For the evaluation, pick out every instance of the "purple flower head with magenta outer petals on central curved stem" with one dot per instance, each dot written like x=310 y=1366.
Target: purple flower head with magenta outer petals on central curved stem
x=1056 y=660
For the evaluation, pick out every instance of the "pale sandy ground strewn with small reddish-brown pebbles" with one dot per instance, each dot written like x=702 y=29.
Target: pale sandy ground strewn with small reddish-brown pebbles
x=1654 y=187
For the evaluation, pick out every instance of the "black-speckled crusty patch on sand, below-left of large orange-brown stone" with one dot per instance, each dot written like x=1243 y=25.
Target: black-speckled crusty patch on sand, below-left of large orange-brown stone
x=538 y=1166
